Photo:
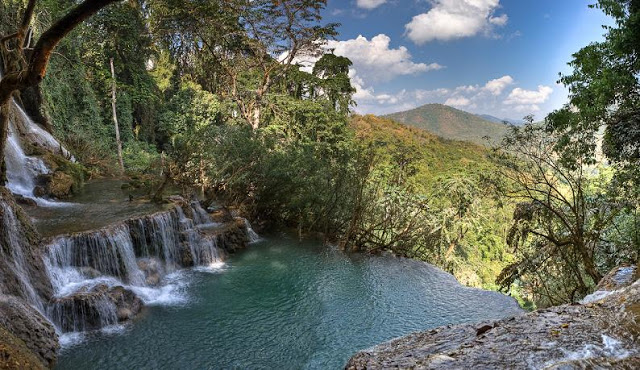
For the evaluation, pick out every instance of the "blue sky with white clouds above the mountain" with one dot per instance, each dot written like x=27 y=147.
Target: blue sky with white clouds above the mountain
x=500 y=57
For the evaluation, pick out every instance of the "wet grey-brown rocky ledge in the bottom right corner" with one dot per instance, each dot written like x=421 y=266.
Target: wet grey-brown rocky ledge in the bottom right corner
x=602 y=332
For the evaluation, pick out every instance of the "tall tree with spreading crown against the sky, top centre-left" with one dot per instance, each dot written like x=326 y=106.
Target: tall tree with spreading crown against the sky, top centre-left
x=251 y=45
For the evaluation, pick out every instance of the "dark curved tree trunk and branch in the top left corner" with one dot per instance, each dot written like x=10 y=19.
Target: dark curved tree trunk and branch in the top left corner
x=25 y=67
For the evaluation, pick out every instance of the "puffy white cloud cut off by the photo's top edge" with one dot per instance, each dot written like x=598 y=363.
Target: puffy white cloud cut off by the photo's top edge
x=454 y=19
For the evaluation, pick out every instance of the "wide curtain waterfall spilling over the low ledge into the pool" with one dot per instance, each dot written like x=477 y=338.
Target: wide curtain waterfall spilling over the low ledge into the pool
x=139 y=254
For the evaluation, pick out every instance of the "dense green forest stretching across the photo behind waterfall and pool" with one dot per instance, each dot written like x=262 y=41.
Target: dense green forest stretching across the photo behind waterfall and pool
x=208 y=96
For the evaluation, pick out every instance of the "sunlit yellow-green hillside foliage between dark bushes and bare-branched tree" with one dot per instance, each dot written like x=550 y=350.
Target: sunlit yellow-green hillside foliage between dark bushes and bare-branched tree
x=425 y=197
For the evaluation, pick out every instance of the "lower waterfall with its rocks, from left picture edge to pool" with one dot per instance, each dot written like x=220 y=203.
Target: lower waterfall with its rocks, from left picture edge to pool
x=96 y=279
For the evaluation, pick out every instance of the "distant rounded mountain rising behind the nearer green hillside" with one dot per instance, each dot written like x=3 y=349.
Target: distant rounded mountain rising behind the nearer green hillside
x=452 y=123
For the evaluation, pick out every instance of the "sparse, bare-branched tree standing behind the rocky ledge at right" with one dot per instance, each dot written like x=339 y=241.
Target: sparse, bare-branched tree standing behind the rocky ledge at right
x=560 y=219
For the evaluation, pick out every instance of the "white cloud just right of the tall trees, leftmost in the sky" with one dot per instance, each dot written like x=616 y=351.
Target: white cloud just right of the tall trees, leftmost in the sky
x=374 y=60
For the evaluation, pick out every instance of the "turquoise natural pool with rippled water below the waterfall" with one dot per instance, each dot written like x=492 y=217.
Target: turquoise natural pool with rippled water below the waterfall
x=283 y=304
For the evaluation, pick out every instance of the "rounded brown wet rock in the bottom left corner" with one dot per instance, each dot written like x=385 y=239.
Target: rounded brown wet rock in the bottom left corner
x=28 y=329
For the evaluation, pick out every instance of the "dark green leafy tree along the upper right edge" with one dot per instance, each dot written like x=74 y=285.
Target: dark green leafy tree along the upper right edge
x=604 y=92
